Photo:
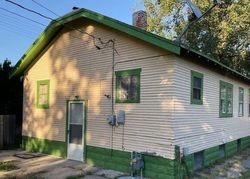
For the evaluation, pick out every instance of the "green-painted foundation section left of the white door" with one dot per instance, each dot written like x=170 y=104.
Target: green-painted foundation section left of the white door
x=52 y=147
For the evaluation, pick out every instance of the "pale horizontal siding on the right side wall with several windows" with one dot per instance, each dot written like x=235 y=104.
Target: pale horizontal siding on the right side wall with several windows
x=197 y=127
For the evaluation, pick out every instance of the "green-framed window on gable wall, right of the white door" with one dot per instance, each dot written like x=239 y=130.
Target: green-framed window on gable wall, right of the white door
x=128 y=86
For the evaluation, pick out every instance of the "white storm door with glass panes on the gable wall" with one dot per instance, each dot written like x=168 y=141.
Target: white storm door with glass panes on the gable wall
x=75 y=130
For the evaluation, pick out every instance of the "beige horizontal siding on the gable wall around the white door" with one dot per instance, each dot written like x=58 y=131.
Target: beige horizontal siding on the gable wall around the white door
x=75 y=67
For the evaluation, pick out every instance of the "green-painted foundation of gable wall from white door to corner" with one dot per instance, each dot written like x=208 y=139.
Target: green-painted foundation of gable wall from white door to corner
x=155 y=167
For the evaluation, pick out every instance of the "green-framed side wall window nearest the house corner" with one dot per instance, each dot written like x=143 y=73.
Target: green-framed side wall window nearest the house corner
x=196 y=88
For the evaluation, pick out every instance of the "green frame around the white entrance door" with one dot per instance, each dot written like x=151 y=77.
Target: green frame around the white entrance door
x=85 y=102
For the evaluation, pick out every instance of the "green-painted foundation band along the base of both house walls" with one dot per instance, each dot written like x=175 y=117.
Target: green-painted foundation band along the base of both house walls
x=155 y=166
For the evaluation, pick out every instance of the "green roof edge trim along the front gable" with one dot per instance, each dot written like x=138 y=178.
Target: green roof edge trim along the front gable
x=47 y=35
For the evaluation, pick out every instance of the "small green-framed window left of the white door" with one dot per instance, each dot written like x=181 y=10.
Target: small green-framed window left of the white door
x=43 y=94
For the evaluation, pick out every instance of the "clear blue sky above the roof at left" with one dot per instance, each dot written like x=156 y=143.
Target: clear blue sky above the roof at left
x=18 y=33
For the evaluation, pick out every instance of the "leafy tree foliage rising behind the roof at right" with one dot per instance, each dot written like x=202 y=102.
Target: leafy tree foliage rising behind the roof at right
x=223 y=34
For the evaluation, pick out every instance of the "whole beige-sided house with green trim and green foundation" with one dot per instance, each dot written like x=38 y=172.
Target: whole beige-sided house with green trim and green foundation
x=176 y=100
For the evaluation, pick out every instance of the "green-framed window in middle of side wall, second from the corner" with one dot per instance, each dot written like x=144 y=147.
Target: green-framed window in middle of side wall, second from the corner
x=226 y=99
